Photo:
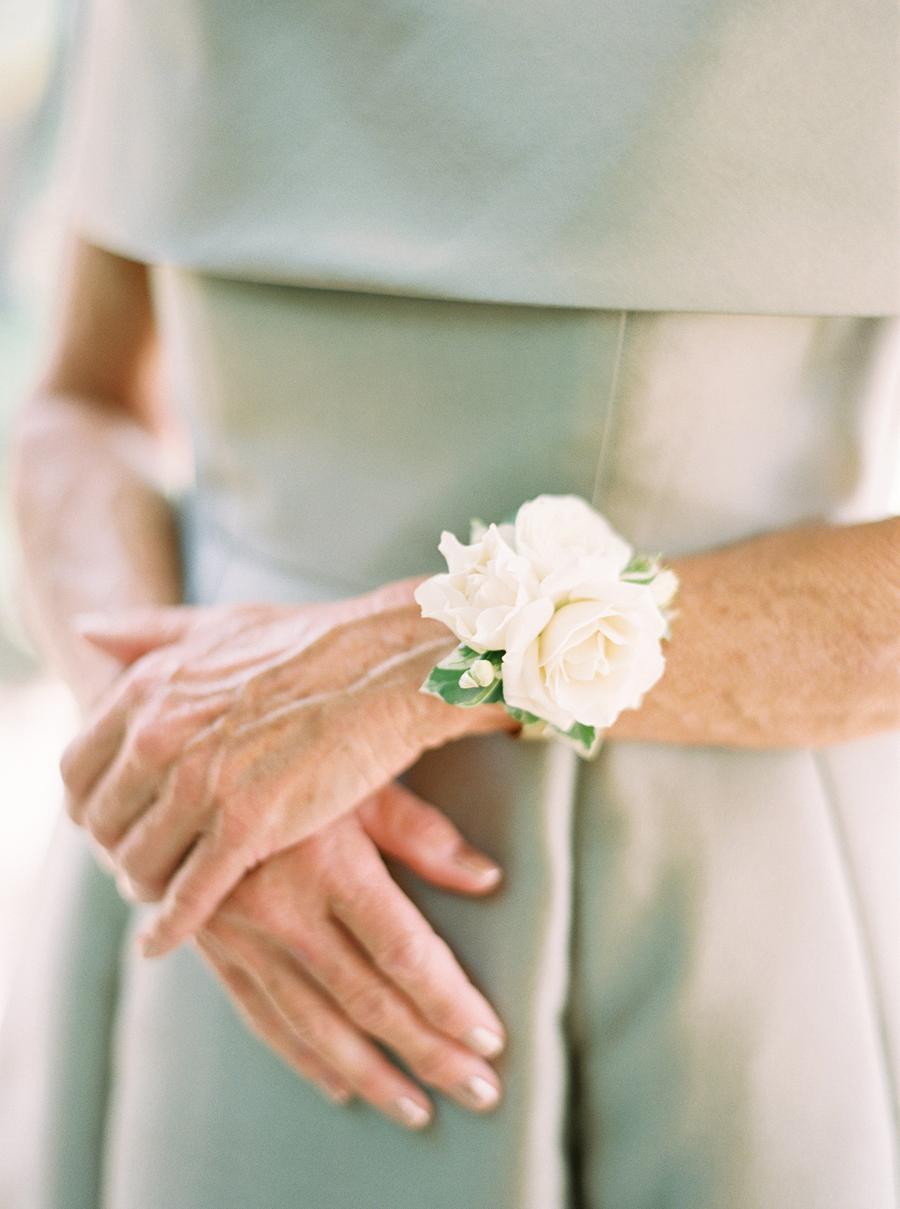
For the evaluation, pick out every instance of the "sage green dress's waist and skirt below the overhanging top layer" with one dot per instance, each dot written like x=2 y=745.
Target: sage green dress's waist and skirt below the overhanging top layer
x=694 y=948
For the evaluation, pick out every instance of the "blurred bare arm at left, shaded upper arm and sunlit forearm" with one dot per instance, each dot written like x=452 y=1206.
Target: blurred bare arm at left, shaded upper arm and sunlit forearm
x=95 y=527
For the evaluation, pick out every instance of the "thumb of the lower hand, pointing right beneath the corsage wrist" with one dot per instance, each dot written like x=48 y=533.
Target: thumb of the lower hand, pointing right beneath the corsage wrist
x=407 y=828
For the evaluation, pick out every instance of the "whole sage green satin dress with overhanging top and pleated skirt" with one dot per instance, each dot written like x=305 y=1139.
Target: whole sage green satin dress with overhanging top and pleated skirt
x=414 y=263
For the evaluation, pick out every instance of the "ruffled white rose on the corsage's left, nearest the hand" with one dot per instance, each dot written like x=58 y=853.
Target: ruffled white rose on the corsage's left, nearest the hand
x=487 y=587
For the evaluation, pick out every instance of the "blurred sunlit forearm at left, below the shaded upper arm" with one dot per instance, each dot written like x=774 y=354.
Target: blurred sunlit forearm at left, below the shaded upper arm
x=96 y=531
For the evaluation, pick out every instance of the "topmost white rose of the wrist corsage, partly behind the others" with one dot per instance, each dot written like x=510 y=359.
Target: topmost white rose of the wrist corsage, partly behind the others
x=569 y=545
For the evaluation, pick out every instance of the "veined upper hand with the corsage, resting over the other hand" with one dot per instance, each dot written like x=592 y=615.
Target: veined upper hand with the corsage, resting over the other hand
x=239 y=731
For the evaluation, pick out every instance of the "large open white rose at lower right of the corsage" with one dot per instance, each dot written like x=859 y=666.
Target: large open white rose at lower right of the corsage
x=593 y=658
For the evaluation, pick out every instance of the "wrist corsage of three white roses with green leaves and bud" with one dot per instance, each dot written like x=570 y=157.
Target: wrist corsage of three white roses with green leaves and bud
x=557 y=617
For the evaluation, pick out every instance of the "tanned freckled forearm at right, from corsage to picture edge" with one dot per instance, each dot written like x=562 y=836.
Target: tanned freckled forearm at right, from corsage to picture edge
x=792 y=639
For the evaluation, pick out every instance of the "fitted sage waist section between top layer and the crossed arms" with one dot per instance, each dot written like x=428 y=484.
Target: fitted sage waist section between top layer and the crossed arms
x=336 y=433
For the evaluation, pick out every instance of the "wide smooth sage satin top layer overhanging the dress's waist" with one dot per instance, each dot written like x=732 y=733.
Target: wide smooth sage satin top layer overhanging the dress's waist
x=680 y=155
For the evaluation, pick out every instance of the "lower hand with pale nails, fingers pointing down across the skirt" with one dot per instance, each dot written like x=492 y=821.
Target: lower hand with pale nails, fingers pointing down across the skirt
x=325 y=956
